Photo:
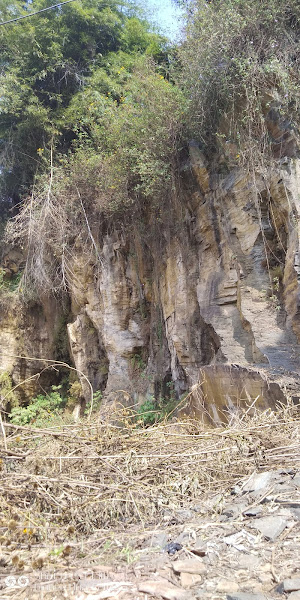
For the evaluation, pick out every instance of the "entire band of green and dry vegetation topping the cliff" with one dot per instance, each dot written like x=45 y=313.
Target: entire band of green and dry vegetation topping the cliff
x=91 y=122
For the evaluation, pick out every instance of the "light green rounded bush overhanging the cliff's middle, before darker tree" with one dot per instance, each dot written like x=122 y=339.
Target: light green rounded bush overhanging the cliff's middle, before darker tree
x=125 y=137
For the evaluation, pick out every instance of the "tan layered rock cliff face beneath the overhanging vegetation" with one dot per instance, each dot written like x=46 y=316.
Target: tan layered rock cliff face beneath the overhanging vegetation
x=206 y=300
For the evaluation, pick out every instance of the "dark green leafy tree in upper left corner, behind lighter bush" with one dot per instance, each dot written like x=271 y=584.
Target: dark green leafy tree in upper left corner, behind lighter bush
x=46 y=60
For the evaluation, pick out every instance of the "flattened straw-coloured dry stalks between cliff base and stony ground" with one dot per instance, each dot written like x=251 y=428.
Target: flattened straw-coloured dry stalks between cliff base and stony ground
x=94 y=476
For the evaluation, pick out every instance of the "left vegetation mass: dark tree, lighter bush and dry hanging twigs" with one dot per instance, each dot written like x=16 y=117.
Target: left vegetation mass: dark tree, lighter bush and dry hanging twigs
x=89 y=125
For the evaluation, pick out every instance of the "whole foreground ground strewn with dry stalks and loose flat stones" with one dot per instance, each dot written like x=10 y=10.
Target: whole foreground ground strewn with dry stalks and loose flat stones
x=176 y=511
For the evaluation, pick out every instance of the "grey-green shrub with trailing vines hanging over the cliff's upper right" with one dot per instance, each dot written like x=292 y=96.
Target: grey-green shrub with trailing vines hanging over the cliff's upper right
x=241 y=65
